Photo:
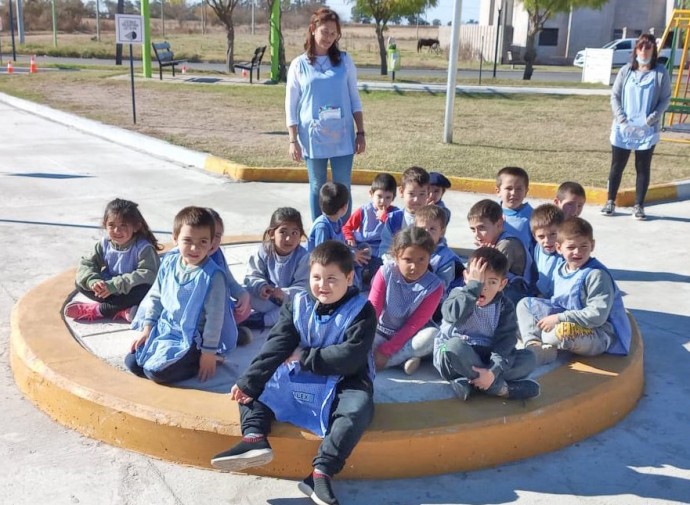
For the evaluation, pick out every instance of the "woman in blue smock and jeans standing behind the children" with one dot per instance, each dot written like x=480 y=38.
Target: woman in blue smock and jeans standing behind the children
x=323 y=109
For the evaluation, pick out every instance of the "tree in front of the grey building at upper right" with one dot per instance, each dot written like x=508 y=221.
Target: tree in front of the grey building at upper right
x=538 y=13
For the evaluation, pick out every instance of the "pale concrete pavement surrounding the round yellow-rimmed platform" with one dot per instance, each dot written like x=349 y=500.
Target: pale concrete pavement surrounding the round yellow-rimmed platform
x=54 y=182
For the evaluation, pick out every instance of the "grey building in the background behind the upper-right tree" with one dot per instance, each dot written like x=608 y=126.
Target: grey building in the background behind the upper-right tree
x=567 y=33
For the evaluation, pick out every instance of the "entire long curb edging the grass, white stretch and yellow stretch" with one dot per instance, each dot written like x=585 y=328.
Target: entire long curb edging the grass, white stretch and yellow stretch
x=679 y=190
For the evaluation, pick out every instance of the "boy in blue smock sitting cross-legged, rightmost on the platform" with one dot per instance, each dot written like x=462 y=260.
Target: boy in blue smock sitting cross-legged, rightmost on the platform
x=585 y=315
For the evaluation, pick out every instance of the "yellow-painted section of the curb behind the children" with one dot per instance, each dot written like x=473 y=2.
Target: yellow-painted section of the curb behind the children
x=243 y=173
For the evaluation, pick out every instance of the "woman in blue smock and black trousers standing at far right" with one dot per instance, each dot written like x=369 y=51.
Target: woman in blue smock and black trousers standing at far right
x=640 y=96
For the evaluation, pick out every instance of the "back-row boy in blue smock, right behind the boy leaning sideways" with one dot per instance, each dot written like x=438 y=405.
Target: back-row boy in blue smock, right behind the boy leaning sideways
x=512 y=184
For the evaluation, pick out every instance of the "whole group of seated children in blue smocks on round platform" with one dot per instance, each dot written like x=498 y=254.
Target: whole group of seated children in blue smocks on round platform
x=531 y=279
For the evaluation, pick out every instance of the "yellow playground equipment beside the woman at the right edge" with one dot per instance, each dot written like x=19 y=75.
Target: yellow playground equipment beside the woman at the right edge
x=676 y=118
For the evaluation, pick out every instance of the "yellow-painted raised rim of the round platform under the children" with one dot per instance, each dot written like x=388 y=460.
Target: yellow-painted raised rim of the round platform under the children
x=83 y=392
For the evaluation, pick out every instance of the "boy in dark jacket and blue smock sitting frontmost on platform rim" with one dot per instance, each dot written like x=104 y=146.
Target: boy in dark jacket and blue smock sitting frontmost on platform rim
x=315 y=371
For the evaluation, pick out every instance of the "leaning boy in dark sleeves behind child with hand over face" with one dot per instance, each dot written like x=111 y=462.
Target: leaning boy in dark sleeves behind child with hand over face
x=488 y=227
